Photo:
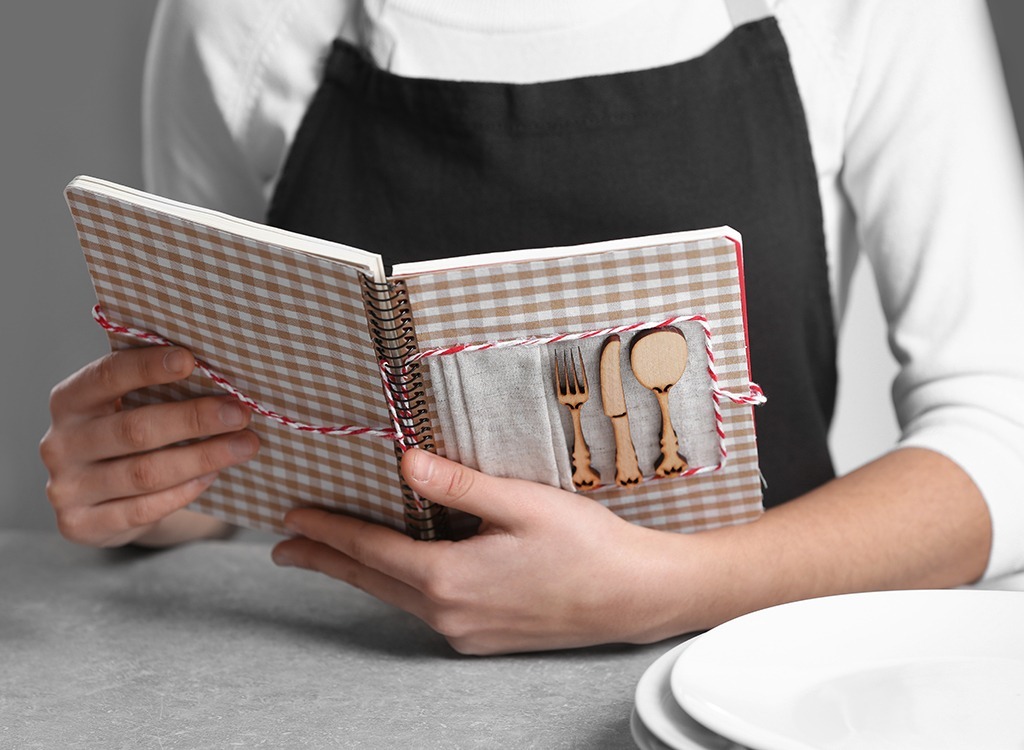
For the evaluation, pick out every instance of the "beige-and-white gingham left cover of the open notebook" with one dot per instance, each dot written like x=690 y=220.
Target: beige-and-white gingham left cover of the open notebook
x=286 y=328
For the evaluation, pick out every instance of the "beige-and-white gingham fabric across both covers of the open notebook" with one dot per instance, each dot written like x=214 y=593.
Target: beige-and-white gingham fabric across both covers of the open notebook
x=289 y=330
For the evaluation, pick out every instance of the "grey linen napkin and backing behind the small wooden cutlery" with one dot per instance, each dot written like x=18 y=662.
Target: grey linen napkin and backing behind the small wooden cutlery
x=499 y=413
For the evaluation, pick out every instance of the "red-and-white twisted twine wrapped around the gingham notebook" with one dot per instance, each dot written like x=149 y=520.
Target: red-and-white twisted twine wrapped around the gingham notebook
x=404 y=435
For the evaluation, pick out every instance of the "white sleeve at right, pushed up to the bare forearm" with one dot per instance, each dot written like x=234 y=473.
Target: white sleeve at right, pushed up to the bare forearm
x=933 y=174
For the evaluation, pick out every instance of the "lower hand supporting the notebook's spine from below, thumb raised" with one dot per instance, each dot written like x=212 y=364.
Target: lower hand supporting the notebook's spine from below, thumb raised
x=548 y=569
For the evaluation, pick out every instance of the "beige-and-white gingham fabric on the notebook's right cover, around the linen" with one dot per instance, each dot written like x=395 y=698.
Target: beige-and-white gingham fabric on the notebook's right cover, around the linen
x=547 y=298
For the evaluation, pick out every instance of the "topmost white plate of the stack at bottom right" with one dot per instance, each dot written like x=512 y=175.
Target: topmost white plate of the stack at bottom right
x=899 y=670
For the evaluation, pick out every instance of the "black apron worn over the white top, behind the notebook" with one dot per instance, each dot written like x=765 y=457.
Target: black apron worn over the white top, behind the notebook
x=417 y=169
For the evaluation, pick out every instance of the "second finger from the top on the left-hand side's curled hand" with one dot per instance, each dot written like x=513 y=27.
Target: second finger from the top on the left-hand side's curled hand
x=149 y=428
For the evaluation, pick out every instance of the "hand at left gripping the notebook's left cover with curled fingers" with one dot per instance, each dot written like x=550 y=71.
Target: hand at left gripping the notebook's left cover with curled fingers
x=116 y=475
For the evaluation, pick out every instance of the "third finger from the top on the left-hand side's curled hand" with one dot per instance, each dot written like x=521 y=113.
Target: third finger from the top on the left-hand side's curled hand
x=159 y=471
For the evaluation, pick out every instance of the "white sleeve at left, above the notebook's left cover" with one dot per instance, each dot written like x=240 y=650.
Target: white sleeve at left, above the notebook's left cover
x=226 y=88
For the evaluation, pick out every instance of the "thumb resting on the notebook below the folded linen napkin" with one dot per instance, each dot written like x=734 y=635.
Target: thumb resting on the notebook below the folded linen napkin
x=501 y=502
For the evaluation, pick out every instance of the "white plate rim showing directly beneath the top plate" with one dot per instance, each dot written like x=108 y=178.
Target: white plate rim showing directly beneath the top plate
x=663 y=718
